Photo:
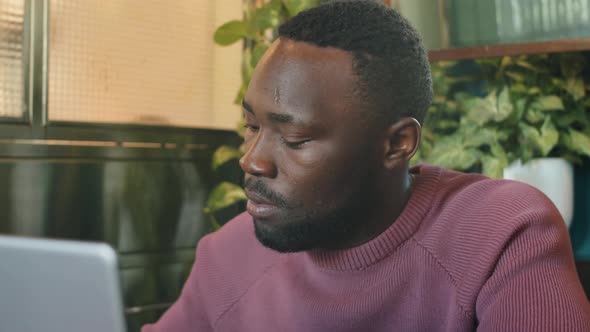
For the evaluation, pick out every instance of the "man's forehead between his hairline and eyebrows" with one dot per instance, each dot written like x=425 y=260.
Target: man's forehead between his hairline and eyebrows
x=302 y=80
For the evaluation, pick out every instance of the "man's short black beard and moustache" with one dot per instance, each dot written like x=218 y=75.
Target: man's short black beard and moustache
x=300 y=229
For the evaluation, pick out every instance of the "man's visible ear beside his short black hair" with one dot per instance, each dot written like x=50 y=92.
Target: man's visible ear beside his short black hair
x=401 y=142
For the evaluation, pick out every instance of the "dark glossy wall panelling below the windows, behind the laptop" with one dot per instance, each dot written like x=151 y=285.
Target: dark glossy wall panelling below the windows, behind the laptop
x=145 y=204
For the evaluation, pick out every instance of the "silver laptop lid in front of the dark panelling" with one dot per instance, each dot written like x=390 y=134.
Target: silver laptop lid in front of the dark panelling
x=58 y=286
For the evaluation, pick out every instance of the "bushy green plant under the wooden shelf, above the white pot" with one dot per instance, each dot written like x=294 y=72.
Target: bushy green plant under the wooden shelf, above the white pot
x=490 y=112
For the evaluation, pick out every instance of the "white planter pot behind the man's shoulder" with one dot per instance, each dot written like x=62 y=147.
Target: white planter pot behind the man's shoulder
x=553 y=176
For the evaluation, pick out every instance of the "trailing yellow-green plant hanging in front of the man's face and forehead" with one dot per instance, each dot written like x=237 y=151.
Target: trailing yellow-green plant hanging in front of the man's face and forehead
x=257 y=30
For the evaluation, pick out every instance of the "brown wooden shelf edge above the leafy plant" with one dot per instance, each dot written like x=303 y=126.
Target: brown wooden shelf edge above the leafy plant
x=488 y=51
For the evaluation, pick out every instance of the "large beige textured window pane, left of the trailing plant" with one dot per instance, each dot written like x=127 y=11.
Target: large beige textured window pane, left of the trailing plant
x=131 y=61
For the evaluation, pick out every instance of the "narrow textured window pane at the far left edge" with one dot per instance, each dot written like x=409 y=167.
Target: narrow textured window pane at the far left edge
x=11 y=58
